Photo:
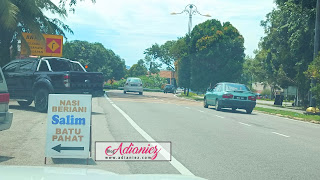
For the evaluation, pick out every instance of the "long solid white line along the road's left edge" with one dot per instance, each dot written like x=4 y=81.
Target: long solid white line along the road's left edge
x=174 y=162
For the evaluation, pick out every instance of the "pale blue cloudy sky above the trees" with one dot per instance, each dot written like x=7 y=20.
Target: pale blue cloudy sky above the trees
x=128 y=27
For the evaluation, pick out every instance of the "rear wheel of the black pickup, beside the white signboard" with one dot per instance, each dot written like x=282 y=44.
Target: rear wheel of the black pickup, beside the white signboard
x=41 y=100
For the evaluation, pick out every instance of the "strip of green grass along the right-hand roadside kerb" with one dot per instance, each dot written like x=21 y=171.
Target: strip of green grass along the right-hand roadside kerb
x=290 y=114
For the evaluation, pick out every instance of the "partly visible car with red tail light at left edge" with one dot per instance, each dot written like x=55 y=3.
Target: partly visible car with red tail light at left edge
x=5 y=116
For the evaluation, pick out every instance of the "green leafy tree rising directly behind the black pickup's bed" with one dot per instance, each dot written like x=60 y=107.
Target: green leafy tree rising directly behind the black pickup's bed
x=97 y=57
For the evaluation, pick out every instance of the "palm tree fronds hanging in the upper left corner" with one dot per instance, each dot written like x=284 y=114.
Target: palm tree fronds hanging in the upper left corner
x=18 y=16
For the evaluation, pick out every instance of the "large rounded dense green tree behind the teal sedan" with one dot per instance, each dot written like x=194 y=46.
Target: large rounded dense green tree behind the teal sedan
x=216 y=50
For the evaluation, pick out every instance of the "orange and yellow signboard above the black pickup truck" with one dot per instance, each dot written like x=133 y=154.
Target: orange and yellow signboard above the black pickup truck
x=52 y=46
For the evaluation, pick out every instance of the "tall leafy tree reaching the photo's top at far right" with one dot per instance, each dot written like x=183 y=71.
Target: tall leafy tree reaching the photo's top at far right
x=289 y=43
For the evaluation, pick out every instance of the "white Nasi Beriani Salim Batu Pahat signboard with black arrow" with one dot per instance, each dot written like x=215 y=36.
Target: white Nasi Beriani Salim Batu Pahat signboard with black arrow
x=68 y=126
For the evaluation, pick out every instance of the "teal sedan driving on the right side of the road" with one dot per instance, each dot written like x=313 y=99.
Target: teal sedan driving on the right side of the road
x=230 y=95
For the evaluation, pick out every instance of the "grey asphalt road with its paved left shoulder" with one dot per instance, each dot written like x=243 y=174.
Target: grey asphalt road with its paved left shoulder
x=205 y=142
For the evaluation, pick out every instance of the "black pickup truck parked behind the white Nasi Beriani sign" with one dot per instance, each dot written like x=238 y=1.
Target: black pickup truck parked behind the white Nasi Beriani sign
x=33 y=79
